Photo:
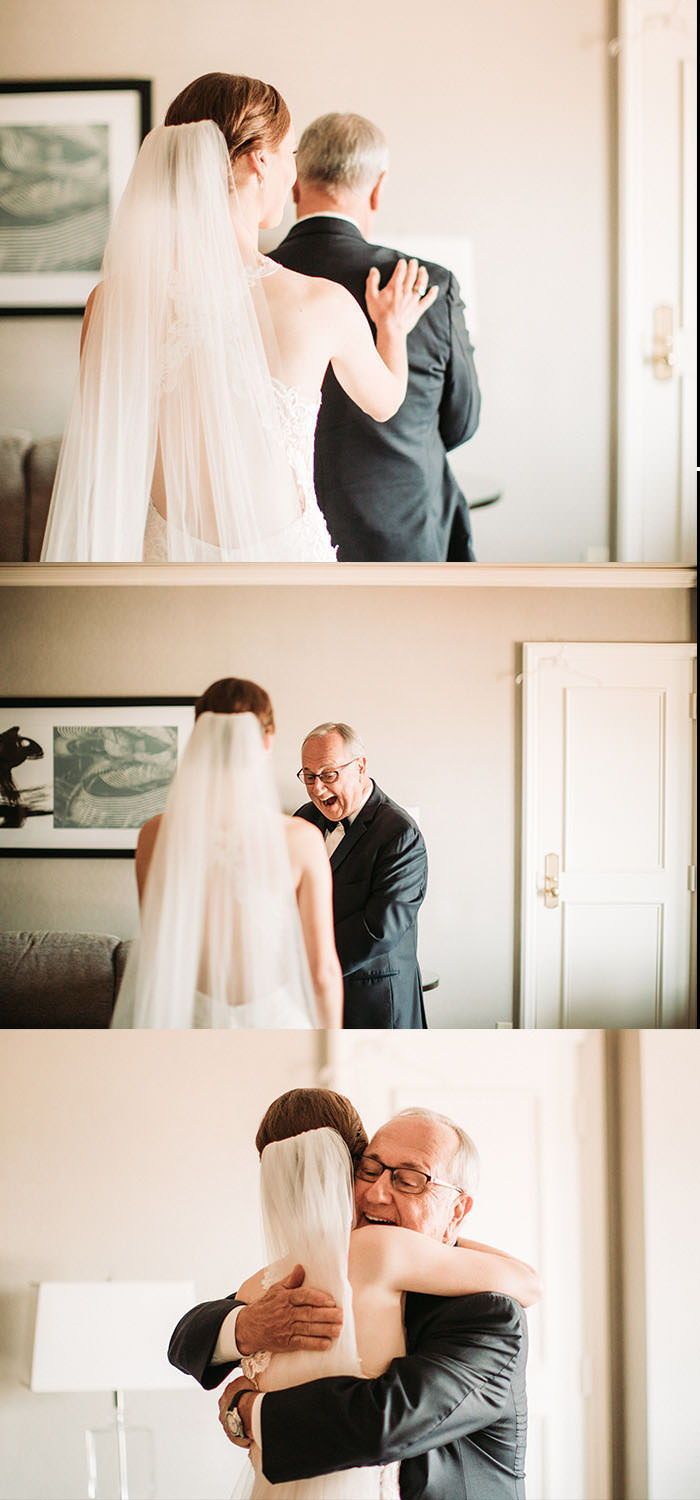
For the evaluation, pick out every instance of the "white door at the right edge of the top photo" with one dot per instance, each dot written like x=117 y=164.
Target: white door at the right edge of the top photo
x=657 y=281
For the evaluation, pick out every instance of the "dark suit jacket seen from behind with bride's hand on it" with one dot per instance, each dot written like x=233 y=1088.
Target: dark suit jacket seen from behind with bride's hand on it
x=386 y=488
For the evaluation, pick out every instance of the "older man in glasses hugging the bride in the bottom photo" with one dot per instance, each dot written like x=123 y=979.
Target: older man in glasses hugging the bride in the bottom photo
x=453 y=1411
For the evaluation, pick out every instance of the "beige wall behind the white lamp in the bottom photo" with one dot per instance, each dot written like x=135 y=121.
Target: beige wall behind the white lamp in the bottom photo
x=134 y=1163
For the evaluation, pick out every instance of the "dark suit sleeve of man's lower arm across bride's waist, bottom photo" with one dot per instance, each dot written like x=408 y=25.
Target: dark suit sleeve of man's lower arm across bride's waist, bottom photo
x=458 y=1382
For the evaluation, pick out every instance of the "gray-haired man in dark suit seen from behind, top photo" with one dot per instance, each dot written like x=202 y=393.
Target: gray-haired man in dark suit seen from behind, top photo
x=386 y=490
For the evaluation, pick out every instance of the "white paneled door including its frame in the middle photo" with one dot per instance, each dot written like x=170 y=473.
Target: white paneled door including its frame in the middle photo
x=608 y=835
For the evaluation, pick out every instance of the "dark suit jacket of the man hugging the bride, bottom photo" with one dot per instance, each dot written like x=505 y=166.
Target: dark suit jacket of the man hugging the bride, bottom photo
x=453 y=1411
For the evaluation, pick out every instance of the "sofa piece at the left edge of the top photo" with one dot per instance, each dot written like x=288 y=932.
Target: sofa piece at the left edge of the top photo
x=28 y=472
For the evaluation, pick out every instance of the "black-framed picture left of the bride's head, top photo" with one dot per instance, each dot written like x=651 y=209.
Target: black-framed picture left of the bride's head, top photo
x=67 y=151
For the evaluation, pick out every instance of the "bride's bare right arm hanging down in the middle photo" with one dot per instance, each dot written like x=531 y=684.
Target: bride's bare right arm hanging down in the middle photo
x=316 y=910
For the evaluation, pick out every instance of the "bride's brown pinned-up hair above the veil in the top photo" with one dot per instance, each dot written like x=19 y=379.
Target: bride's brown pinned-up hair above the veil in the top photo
x=250 y=113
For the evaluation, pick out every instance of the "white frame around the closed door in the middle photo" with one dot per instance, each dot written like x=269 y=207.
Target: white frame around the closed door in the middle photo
x=534 y=656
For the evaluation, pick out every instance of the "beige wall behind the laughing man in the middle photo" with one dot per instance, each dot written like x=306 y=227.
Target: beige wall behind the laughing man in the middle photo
x=426 y=674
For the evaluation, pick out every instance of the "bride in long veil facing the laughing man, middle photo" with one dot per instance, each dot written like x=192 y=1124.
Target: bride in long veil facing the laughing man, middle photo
x=236 y=899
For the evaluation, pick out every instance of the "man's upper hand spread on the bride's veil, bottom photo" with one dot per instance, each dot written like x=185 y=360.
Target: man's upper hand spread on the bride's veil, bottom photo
x=287 y=1318
